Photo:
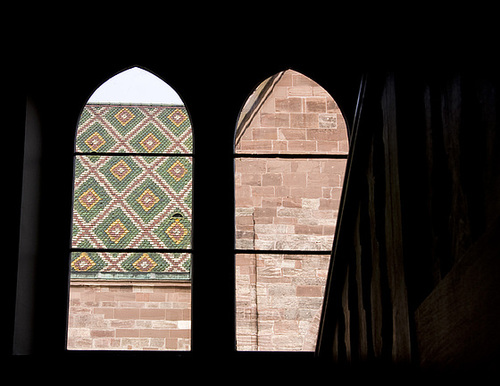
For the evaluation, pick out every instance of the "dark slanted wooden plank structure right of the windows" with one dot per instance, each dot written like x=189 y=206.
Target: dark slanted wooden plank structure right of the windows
x=415 y=272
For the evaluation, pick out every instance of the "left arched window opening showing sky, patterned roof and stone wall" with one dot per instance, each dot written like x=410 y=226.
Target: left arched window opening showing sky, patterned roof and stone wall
x=131 y=241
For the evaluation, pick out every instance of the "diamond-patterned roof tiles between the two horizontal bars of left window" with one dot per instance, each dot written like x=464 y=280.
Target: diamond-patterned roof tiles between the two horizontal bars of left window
x=122 y=202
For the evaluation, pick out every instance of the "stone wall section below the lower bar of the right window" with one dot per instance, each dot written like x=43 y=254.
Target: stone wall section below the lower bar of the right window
x=278 y=301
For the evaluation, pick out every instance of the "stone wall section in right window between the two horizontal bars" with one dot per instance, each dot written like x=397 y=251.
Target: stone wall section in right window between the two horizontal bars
x=284 y=204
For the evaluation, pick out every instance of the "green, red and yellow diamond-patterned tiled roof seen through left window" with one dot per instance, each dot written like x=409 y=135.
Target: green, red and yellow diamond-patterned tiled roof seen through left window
x=134 y=194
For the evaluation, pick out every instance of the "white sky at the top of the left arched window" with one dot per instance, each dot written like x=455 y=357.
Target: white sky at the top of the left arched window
x=135 y=86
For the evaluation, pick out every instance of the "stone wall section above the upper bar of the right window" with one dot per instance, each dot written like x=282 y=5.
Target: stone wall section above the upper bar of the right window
x=298 y=116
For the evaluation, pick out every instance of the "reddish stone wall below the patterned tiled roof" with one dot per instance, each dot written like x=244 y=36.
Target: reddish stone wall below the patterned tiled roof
x=129 y=316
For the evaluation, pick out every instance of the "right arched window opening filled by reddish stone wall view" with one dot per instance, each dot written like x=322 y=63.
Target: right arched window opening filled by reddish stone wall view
x=291 y=150
